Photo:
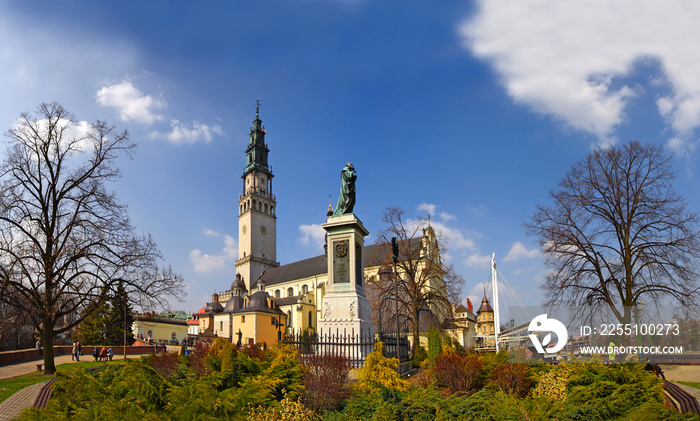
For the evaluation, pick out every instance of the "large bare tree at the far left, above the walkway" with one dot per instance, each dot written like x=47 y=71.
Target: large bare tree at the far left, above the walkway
x=66 y=241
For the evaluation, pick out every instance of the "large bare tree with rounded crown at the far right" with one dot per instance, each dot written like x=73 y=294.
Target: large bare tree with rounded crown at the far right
x=617 y=233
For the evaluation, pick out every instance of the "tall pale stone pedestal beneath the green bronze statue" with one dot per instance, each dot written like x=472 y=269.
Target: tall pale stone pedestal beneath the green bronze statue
x=345 y=308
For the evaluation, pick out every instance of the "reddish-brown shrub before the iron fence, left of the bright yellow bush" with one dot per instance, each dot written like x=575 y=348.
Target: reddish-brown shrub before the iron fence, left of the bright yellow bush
x=325 y=378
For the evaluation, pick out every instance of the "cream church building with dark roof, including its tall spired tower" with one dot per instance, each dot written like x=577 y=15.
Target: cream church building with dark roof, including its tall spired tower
x=267 y=300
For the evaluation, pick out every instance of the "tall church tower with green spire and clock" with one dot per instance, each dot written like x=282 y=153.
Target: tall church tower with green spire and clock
x=257 y=211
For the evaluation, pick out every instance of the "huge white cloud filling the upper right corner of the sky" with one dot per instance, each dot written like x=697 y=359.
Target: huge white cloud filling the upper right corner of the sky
x=560 y=56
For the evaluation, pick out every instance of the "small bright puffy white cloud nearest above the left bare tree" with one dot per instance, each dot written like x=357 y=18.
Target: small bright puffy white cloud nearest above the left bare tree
x=132 y=104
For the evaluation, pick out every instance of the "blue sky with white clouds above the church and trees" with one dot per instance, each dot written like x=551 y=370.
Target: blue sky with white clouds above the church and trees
x=470 y=111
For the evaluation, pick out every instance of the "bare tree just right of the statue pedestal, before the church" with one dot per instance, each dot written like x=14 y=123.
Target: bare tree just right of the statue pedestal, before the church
x=426 y=285
